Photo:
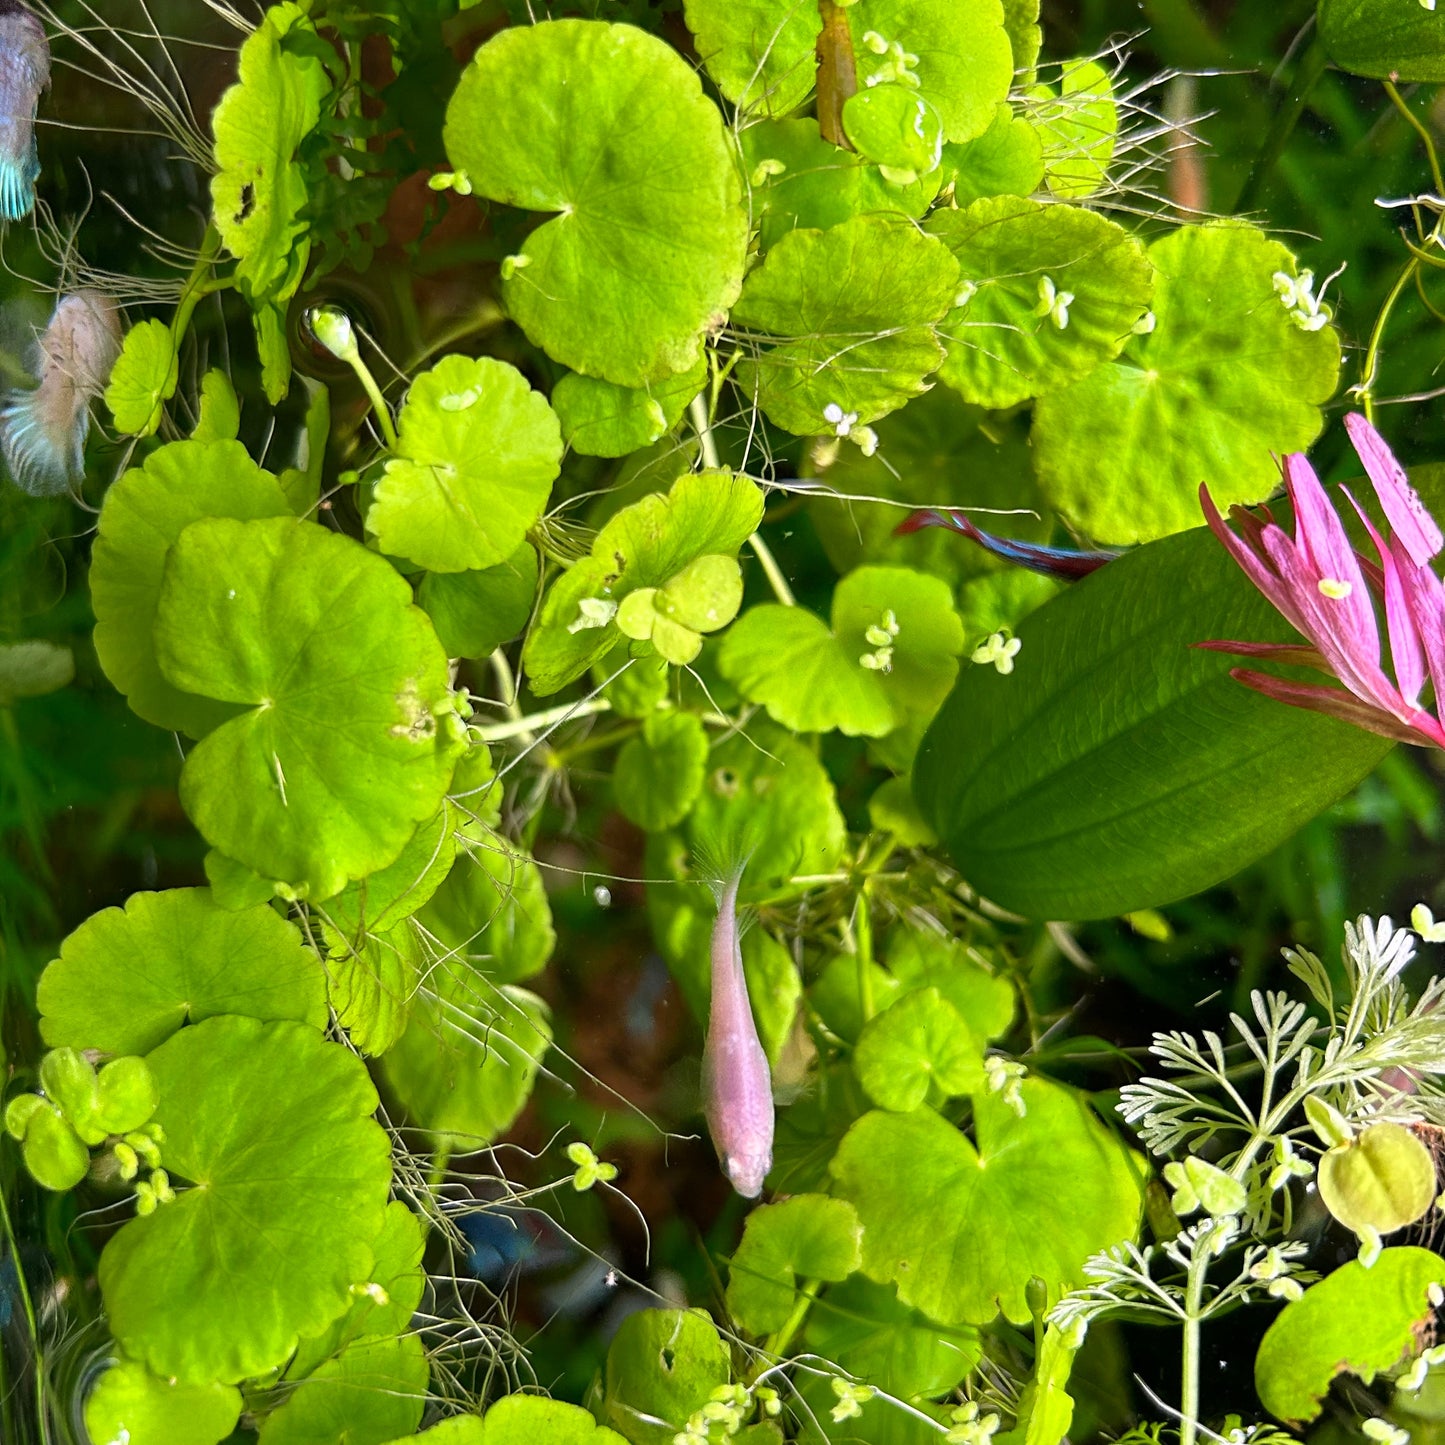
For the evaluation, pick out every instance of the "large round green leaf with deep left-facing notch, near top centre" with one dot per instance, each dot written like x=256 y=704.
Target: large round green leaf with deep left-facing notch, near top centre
x=608 y=128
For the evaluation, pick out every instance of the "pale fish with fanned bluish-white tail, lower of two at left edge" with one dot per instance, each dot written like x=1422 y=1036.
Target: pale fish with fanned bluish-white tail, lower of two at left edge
x=43 y=433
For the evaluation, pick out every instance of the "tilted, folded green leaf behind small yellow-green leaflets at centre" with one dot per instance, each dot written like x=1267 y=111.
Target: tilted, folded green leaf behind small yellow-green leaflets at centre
x=645 y=545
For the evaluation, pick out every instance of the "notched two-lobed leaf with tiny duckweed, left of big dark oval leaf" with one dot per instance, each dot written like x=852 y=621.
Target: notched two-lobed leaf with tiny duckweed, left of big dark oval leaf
x=891 y=652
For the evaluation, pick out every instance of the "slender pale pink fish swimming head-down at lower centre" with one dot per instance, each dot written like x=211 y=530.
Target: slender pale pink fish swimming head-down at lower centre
x=738 y=1084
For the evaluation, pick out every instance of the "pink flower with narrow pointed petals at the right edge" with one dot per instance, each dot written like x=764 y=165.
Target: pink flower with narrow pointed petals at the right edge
x=1324 y=589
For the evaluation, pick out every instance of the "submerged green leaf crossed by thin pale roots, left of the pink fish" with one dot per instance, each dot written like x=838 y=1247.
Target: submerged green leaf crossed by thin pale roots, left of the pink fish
x=470 y=1056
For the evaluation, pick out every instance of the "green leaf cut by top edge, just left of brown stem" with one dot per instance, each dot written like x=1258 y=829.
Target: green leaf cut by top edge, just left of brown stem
x=759 y=53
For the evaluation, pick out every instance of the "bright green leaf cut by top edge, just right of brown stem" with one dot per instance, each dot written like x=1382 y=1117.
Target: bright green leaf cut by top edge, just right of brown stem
x=962 y=60
